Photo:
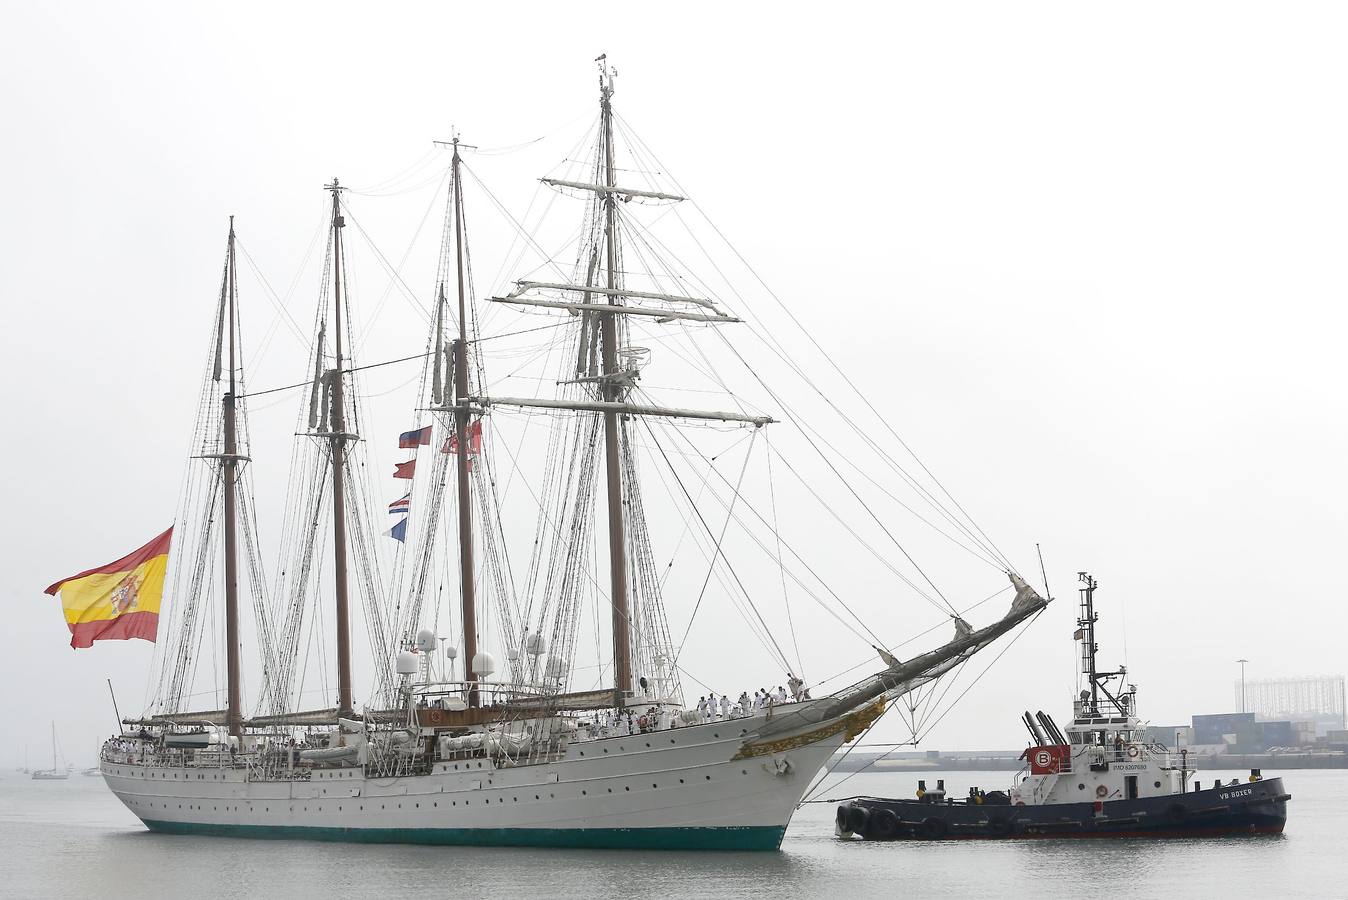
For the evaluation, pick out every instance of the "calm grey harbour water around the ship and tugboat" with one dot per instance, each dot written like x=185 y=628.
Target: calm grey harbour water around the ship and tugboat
x=75 y=840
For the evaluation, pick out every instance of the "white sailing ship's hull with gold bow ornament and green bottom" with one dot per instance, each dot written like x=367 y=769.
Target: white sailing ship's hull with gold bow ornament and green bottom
x=699 y=787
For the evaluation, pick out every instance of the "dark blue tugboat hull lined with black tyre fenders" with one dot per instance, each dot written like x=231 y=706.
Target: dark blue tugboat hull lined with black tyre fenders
x=1257 y=808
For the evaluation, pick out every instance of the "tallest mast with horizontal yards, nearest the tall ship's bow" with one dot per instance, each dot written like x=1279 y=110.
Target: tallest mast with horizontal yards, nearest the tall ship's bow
x=613 y=393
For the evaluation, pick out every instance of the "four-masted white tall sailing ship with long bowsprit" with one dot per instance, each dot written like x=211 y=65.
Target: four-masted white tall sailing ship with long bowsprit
x=539 y=754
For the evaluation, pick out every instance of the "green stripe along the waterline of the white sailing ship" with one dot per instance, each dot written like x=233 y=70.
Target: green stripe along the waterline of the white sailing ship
x=758 y=837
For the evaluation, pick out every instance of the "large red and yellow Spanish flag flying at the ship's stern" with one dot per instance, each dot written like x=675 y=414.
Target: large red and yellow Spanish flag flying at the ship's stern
x=118 y=602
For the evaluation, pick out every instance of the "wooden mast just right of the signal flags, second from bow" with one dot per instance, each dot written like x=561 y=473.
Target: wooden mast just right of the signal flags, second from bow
x=463 y=459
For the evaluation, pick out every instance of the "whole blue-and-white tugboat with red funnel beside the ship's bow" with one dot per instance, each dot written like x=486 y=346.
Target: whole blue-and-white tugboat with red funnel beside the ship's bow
x=1101 y=777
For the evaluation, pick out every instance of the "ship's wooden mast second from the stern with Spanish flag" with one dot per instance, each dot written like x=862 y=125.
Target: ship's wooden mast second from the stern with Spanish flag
x=339 y=455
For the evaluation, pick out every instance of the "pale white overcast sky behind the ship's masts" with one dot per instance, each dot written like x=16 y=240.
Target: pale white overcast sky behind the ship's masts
x=1087 y=261
